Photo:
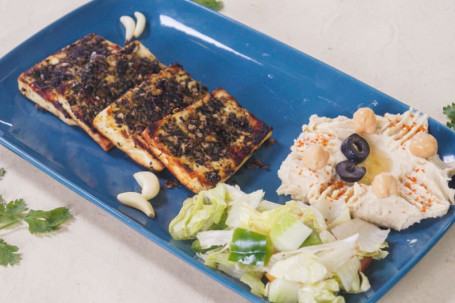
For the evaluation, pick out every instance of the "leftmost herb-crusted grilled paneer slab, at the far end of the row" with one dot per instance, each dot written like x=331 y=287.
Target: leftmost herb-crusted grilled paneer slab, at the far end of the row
x=42 y=83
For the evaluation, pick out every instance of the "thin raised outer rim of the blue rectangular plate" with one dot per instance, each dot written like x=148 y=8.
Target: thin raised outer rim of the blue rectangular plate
x=215 y=275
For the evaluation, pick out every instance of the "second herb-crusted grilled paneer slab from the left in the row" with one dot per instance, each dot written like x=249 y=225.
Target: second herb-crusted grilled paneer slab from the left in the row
x=102 y=81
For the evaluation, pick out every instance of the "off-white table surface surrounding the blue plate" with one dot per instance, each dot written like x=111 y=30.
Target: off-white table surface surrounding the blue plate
x=404 y=48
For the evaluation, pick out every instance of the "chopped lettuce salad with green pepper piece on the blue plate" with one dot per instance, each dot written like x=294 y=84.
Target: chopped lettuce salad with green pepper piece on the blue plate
x=287 y=253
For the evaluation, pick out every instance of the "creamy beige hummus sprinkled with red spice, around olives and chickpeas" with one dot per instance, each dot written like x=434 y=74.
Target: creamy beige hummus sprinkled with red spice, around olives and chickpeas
x=423 y=190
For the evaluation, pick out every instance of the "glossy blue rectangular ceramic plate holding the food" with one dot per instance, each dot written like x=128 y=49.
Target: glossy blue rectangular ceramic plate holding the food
x=281 y=85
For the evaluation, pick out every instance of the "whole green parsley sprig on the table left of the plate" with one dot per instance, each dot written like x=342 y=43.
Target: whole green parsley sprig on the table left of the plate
x=39 y=222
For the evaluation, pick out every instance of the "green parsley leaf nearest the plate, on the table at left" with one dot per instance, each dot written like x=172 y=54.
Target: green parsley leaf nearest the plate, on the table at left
x=40 y=221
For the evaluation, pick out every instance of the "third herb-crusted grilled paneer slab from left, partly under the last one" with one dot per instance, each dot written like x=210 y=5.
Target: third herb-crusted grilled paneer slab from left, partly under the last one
x=159 y=96
